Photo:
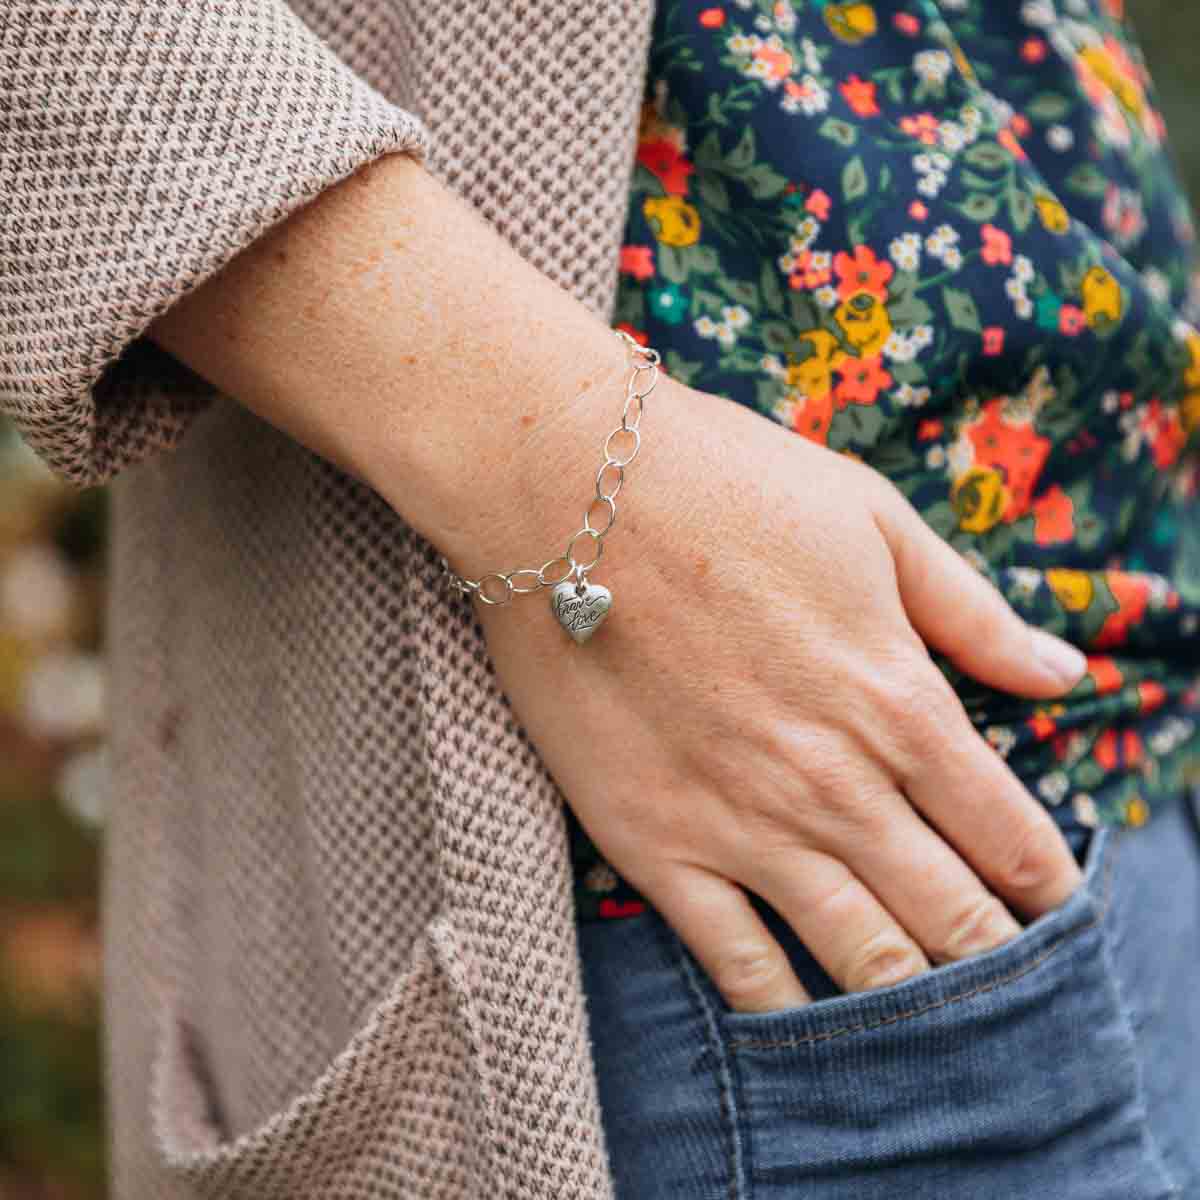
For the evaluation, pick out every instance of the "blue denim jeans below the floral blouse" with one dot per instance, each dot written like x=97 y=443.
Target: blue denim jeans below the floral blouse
x=1063 y=1066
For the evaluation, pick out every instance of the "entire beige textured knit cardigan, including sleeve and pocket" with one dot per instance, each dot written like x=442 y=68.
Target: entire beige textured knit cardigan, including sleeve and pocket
x=340 y=949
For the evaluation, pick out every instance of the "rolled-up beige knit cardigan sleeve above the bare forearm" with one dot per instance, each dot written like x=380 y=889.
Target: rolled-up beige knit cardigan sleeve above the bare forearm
x=143 y=145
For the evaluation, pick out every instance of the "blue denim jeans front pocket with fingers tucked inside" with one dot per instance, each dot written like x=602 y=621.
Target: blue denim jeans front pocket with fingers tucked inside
x=1010 y=1075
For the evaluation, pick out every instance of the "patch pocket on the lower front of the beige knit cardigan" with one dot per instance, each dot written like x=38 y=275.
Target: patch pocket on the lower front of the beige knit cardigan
x=382 y=1109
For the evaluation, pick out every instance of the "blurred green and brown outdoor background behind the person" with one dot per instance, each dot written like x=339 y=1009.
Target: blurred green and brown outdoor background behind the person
x=53 y=770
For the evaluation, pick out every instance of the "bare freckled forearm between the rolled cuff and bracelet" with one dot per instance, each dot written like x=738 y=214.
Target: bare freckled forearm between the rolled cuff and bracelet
x=389 y=328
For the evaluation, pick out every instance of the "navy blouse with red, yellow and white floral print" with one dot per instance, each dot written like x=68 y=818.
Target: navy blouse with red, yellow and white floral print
x=946 y=237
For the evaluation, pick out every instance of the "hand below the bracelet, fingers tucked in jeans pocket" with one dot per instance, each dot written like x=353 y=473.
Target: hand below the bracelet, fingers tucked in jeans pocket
x=760 y=711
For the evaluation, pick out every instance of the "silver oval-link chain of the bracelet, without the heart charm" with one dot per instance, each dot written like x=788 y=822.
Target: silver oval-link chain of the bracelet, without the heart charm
x=645 y=361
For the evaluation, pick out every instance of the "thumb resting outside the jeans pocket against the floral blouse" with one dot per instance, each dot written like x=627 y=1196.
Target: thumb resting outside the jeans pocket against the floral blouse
x=962 y=614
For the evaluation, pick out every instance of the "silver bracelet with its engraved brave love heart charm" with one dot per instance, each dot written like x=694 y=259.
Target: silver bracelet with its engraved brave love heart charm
x=581 y=605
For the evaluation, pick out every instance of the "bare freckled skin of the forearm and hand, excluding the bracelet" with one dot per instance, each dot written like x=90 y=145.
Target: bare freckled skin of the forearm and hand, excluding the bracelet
x=771 y=598
